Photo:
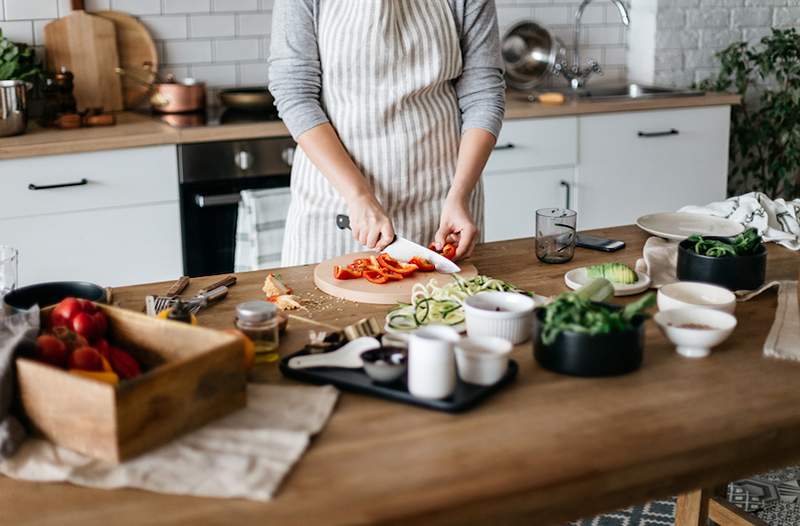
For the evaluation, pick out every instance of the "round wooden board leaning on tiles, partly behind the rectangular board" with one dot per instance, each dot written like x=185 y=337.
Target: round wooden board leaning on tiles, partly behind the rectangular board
x=137 y=53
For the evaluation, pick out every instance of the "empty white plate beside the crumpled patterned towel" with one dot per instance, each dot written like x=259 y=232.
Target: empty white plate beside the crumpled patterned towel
x=680 y=225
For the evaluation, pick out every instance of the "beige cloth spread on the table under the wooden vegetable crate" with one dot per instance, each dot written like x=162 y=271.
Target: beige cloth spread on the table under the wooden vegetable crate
x=244 y=455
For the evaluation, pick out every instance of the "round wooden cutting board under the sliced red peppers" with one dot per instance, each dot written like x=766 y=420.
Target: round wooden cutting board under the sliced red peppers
x=363 y=291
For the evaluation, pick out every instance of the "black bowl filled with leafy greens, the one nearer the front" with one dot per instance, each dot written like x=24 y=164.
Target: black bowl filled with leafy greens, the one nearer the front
x=577 y=336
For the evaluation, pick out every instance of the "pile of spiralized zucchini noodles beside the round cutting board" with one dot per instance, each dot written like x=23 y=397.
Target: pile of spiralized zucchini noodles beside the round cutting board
x=432 y=304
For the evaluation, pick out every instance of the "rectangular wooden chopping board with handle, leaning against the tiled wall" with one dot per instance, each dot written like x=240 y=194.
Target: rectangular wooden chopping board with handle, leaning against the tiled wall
x=87 y=46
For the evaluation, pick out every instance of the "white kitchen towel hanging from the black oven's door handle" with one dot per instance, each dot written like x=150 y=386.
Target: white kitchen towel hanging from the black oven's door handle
x=259 y=228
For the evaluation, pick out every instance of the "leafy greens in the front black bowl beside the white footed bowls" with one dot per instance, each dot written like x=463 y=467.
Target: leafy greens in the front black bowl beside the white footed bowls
x=575 y=312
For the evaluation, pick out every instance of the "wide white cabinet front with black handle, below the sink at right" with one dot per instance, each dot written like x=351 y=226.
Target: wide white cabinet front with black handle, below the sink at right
x=638 y=163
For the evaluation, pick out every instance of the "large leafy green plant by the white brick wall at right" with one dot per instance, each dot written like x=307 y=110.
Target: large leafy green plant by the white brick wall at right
x=765 y=128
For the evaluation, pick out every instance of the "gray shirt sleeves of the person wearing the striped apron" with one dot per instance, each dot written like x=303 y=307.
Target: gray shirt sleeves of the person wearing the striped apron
x=295 y=71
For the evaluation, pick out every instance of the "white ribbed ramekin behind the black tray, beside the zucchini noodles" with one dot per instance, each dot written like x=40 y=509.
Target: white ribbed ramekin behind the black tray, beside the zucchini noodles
x=507 y=315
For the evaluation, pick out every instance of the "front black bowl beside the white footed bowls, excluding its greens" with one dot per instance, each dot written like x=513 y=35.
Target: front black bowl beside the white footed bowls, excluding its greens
x=579 y=354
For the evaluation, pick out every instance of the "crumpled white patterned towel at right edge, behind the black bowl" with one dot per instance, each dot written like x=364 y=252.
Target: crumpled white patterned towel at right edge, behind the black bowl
x=777 y=220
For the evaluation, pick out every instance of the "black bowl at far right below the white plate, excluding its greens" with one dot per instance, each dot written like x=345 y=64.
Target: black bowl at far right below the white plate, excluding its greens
x=731 y=272
